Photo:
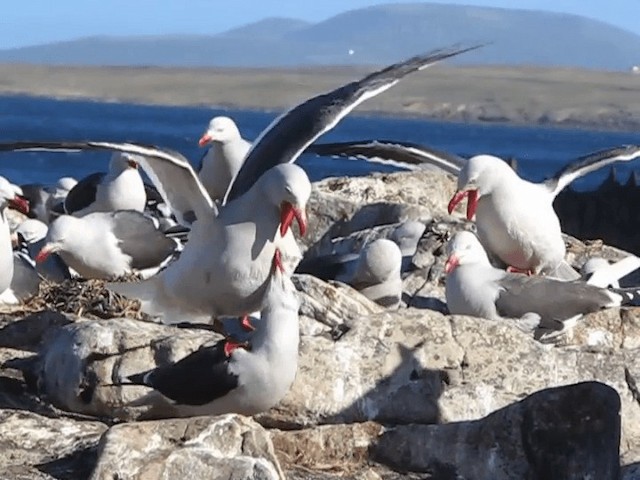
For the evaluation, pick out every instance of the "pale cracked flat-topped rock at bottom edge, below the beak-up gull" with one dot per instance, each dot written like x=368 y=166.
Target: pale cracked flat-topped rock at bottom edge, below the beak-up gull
x=227 y=446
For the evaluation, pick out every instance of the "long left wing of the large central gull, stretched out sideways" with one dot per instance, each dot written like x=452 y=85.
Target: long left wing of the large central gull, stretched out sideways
x=170 y=172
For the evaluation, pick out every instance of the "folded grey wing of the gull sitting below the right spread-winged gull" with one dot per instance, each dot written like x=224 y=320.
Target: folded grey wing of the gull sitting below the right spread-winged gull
x=554 y=300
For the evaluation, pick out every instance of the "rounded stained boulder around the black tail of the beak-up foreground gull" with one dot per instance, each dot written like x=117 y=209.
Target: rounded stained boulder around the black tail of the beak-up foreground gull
x=79 y=364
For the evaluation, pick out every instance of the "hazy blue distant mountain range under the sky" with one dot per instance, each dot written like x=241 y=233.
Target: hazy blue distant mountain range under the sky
x=374 y=35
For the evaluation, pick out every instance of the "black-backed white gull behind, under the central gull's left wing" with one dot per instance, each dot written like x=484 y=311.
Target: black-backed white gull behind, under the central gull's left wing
x=119 y=189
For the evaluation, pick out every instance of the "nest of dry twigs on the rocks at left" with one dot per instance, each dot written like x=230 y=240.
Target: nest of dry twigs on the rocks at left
x=86 y=298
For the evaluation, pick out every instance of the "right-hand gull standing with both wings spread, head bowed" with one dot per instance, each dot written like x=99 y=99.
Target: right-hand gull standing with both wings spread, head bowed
x=515 y=218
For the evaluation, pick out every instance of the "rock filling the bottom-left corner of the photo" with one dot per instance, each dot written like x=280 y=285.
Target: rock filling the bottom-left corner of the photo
x=28 y=439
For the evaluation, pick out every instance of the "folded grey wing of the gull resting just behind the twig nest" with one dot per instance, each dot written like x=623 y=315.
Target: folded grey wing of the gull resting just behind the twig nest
x=138 y=237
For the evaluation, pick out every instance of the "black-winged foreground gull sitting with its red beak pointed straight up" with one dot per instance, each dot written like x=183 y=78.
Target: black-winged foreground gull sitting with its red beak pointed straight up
x=227 y=378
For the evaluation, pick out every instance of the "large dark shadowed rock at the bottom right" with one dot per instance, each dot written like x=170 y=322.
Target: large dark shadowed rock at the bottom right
x=570 y=432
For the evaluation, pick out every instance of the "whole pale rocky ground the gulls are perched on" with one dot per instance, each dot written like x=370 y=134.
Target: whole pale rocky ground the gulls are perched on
x=410 y=393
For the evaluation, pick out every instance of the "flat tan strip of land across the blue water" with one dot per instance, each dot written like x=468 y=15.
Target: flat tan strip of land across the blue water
x=522 y=96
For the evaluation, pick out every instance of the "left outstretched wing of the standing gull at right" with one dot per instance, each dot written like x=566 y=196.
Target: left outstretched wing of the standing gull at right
x=402 y=154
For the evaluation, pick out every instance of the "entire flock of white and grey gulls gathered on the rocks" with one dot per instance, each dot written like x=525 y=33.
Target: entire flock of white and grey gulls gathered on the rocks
x=218 y=241
